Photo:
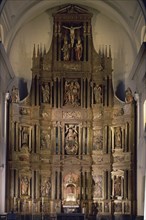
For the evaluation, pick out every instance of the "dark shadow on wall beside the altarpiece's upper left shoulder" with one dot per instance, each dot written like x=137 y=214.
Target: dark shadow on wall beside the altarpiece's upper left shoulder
x=23 y=92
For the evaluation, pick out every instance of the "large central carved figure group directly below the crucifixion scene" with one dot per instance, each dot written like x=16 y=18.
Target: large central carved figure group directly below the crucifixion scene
x=72 y=93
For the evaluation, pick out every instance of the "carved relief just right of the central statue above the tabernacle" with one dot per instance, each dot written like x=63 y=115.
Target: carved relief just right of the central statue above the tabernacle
x=98 y=140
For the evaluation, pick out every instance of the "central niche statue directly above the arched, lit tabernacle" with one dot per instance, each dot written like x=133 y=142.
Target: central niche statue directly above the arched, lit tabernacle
x=71 y=139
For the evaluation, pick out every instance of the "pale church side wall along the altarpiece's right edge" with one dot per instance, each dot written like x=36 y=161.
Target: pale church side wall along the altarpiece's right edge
x=138 y=75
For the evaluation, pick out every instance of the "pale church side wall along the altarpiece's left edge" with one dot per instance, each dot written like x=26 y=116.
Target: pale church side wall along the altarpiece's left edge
x=6 y=77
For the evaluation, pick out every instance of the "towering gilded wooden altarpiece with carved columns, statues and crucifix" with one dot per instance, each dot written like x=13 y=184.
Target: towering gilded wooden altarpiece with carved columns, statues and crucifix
x=71 y=141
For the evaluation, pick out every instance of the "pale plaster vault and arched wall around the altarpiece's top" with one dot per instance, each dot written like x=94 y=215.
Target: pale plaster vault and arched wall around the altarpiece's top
x=119 y=23
